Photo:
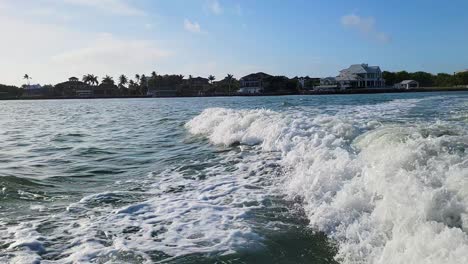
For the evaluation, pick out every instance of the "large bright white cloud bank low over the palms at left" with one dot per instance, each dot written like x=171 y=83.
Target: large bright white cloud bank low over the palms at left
x=51 y=53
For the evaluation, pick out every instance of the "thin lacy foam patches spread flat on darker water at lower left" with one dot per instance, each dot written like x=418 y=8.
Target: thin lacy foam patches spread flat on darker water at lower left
x=181 y=216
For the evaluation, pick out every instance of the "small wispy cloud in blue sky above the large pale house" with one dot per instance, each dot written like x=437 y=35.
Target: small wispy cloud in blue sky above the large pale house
x=366 y=26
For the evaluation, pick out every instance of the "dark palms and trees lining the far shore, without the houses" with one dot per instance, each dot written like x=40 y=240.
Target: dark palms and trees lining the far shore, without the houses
x=141 y=84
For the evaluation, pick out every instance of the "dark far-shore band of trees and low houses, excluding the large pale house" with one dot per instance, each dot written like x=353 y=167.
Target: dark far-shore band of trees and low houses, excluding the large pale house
x=155 y=85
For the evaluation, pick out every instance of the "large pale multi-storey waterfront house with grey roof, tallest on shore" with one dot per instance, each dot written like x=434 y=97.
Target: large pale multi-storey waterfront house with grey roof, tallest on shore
x=360 y=76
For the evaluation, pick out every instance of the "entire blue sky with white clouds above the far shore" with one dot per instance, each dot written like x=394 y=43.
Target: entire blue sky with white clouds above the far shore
x=52 y=40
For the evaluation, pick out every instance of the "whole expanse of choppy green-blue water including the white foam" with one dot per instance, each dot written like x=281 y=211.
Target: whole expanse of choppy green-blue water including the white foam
x=293 y=179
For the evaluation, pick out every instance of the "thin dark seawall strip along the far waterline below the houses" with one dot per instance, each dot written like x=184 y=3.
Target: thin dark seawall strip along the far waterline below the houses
x=335 y=92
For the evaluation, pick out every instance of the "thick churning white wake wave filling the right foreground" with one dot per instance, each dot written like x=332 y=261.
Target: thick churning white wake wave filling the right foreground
x=385 y=192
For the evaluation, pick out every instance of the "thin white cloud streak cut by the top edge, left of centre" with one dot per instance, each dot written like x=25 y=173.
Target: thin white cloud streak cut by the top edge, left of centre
x=117 y=7
